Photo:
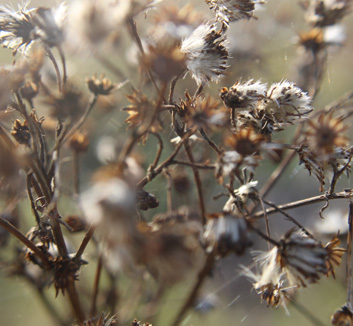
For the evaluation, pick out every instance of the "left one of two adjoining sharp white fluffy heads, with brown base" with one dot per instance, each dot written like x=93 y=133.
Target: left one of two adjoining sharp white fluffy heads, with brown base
x=243 y=95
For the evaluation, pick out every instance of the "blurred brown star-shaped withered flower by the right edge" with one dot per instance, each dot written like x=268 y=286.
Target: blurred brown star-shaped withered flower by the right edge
x=325 y=135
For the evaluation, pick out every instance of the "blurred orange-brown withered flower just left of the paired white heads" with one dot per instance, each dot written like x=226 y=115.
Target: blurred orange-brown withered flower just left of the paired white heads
x=201 y=112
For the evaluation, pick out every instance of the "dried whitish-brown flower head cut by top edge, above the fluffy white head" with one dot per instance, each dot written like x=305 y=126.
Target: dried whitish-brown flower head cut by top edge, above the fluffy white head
x=232 y=10
